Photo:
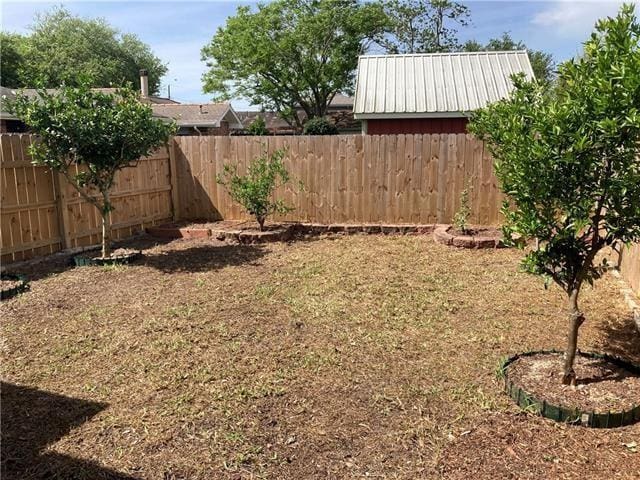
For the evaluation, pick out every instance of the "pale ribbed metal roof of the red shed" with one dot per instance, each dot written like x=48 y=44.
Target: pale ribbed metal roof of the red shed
x=434 y=85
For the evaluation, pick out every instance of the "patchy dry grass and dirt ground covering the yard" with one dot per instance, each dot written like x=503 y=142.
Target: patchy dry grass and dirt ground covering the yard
x=344 y=357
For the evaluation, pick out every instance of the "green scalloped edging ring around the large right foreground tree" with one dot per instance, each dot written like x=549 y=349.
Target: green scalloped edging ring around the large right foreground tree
x=561 y=413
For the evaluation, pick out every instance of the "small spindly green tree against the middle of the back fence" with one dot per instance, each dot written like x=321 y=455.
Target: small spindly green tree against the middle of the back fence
x=254 y=191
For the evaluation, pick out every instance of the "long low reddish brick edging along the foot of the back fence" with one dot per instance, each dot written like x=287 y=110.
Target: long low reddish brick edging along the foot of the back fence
x=285 y=232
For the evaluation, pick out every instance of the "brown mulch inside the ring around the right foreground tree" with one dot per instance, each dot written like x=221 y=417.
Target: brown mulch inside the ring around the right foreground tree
x=602 y=386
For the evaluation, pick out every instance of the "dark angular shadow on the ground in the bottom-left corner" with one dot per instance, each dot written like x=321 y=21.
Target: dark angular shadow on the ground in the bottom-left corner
x=34 y=419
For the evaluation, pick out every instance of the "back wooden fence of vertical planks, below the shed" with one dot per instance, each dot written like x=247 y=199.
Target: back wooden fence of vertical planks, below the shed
x=347 y=178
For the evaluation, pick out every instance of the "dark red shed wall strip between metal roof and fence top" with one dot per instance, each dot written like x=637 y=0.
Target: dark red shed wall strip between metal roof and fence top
x=416 y=125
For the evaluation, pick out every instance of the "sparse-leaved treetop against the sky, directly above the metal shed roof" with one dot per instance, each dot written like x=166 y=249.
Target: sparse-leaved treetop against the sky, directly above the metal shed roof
x=422 y=26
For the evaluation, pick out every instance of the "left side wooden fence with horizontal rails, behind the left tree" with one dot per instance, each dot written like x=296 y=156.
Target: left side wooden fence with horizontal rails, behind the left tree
x=41 y=213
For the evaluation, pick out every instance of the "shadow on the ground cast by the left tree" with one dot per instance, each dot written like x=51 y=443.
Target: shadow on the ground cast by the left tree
x=204 y=257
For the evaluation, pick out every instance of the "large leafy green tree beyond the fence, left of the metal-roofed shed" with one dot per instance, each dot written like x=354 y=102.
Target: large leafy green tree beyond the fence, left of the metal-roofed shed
x=290 y=54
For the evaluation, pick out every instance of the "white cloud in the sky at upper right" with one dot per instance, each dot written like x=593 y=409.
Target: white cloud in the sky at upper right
x=569 y=17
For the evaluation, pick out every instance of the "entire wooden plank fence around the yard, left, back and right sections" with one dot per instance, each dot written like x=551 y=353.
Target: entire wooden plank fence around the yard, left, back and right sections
x=345 y=178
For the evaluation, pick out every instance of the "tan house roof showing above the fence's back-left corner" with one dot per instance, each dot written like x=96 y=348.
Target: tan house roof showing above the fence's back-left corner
x=199 y=115
